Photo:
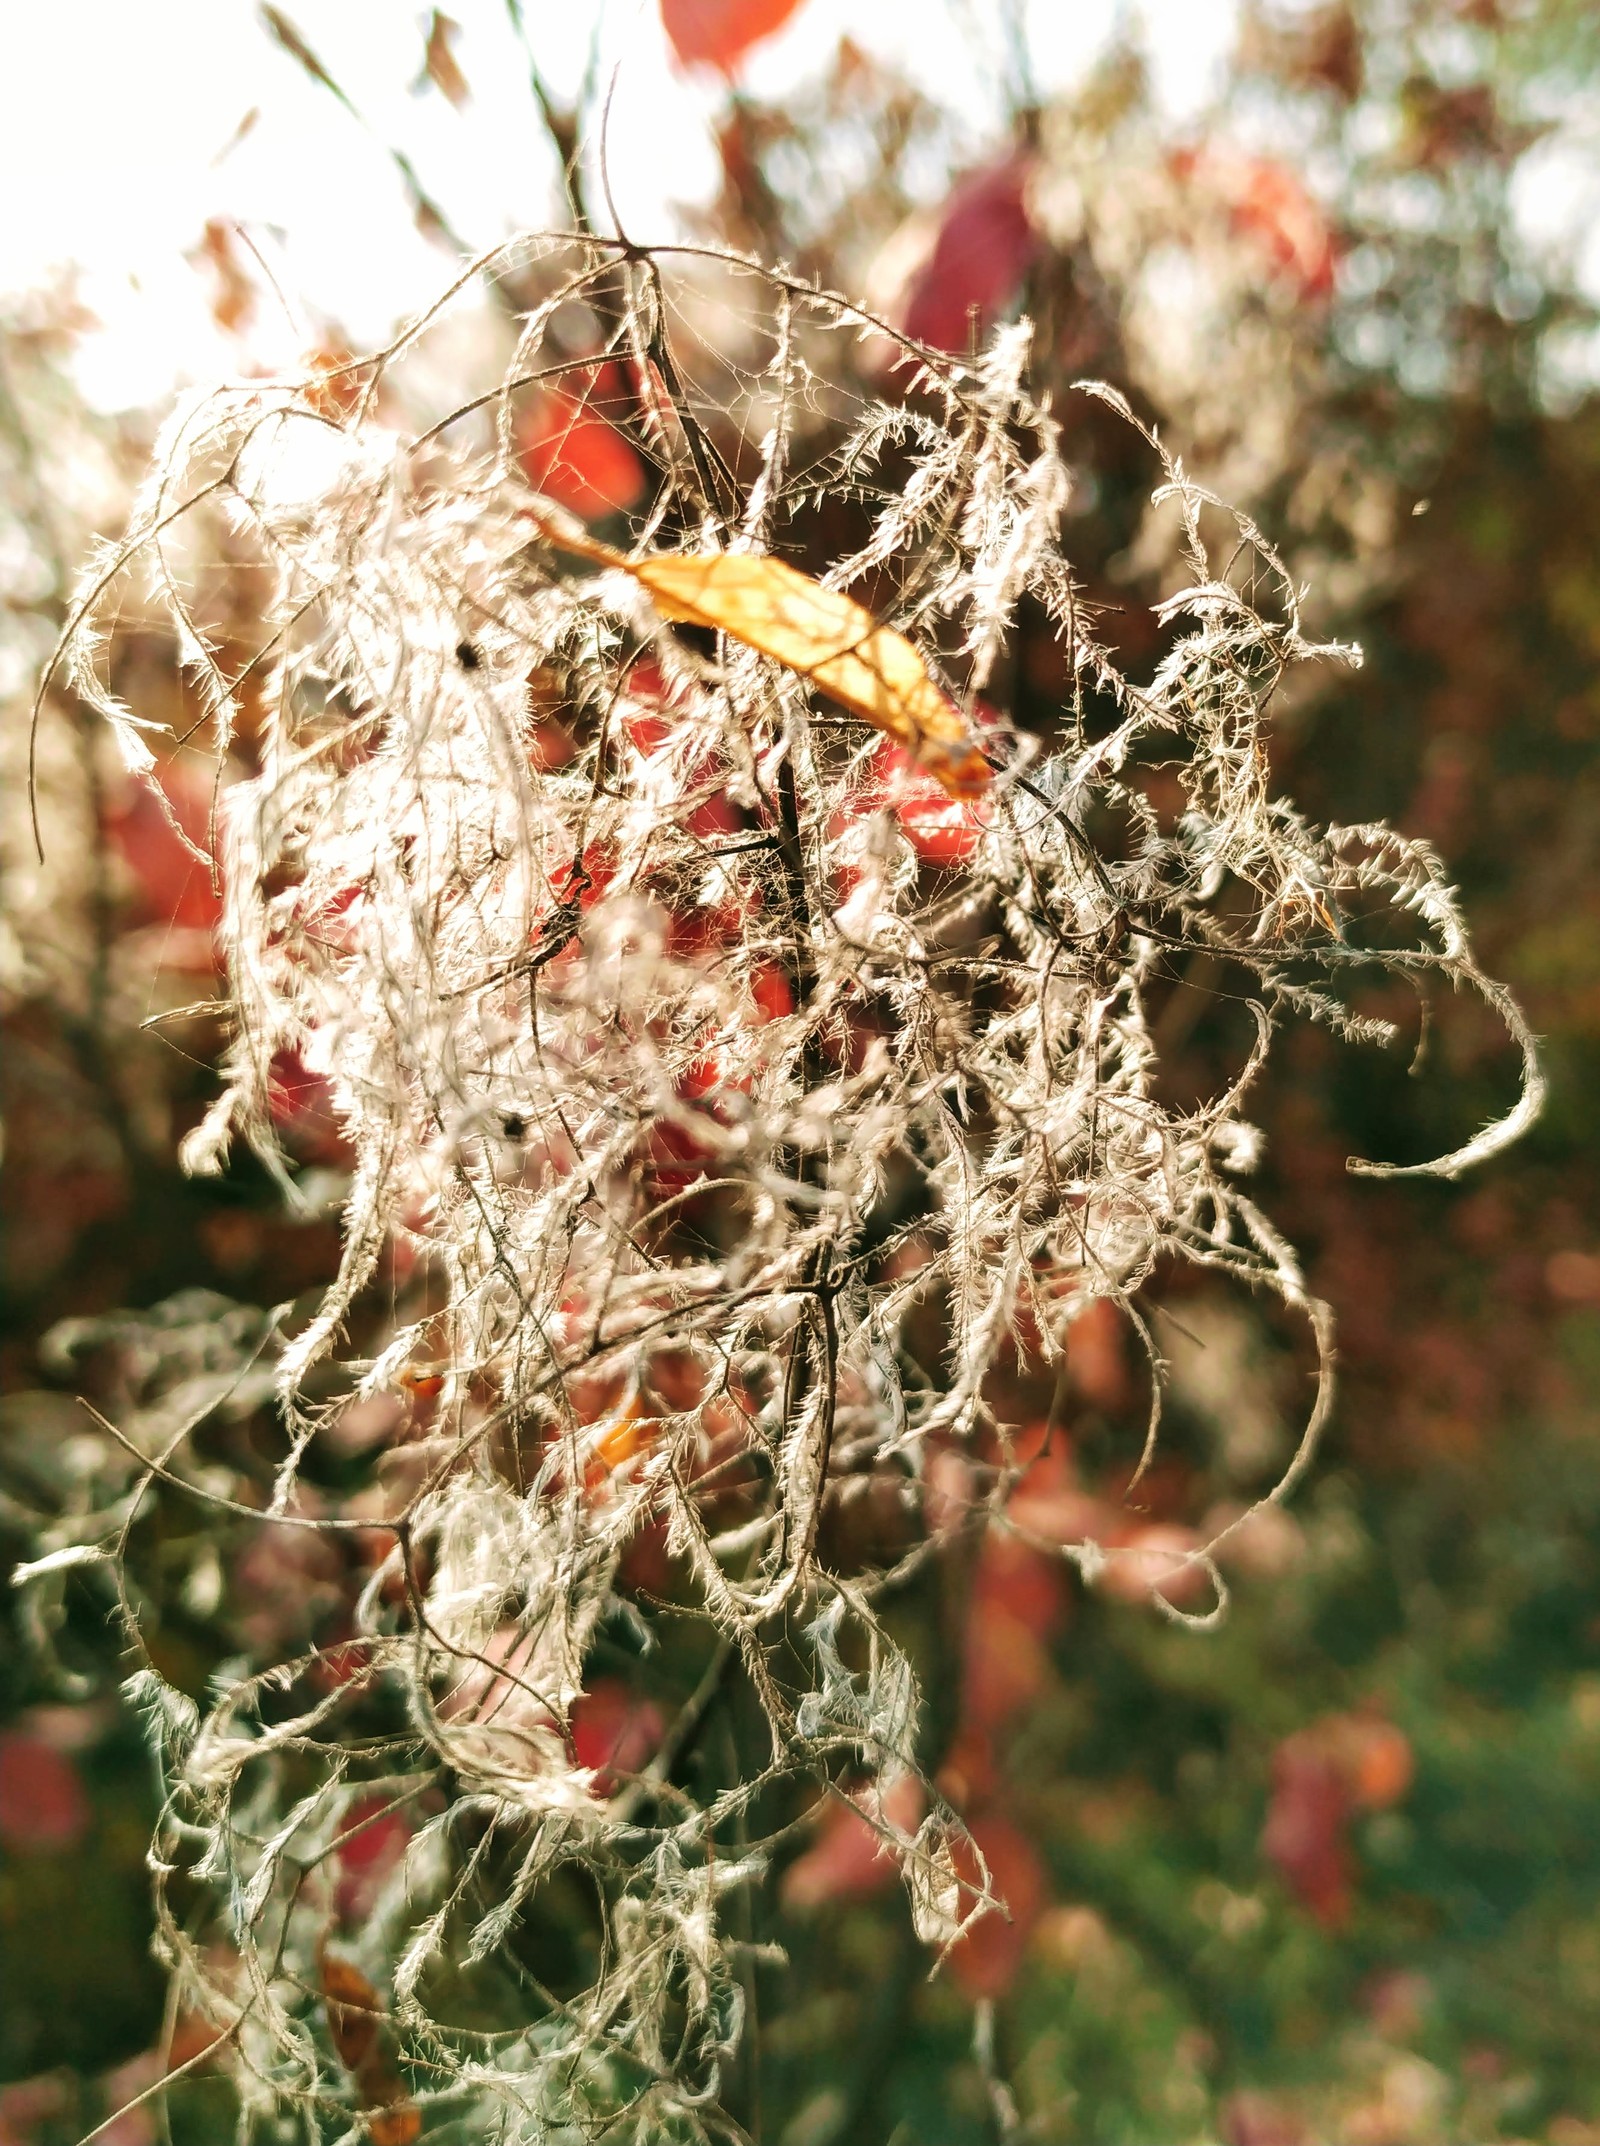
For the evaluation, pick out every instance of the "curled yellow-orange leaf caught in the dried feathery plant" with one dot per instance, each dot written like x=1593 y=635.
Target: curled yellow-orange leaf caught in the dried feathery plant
x=816 y=632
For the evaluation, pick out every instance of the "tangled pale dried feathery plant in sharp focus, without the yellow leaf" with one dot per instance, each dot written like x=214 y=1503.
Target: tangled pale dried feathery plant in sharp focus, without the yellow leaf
x=672 y=1085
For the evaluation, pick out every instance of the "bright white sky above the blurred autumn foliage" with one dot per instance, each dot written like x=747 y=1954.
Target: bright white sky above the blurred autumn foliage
x=117 y=121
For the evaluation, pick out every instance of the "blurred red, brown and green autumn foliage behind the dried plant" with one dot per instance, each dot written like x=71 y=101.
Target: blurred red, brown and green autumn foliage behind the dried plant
x=1333 y=1872
